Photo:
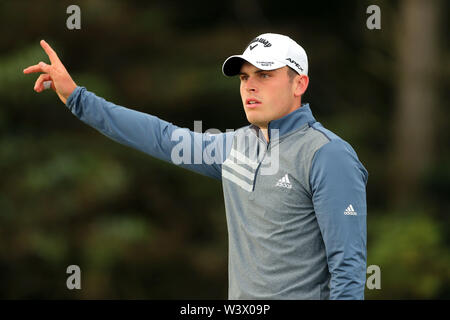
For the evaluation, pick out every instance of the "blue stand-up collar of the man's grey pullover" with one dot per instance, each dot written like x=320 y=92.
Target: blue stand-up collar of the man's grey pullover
x=290 y=122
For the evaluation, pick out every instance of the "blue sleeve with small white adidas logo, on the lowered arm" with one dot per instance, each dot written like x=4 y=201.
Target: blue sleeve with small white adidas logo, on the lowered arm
x=338 y=184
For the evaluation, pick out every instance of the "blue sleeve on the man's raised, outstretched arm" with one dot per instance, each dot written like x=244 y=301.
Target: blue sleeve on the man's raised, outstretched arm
x=203 y=153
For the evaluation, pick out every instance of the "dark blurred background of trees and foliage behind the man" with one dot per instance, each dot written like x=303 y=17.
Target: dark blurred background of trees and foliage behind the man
x=140 y=228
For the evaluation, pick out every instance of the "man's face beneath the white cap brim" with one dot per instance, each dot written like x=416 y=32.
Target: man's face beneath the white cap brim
x=267 y=95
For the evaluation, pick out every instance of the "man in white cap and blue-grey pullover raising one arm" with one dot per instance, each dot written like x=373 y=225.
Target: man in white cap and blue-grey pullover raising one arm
x=294 y=191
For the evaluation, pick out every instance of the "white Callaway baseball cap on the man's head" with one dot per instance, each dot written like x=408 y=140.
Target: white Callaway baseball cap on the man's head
x=269 y=51
